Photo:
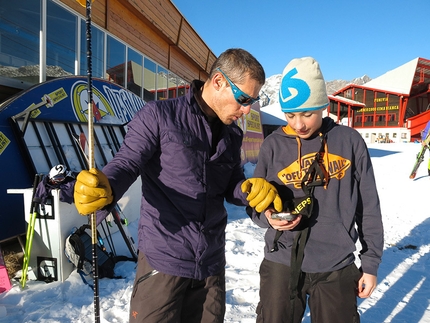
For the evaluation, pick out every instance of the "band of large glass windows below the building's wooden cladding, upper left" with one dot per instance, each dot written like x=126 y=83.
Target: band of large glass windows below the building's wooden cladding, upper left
x=66 y=51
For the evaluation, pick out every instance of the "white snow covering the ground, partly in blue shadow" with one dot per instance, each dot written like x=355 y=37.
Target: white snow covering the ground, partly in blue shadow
x=401 y=296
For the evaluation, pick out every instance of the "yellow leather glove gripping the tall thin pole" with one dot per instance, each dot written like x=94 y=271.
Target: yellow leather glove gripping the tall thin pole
x=92 y=191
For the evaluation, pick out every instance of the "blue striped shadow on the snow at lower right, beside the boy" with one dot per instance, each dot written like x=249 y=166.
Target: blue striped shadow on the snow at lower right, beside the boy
x=403 y=284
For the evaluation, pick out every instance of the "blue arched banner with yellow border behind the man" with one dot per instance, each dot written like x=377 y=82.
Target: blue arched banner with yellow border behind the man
x=63 y=100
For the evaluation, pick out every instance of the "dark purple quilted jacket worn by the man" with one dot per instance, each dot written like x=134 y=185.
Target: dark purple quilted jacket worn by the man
x=182 y=217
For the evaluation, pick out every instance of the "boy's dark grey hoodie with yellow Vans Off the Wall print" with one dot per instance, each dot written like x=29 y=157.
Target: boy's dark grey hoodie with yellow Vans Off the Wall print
x=345 y=209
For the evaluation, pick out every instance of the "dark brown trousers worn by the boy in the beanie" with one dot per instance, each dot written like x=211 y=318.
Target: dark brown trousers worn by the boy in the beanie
x=331 y=296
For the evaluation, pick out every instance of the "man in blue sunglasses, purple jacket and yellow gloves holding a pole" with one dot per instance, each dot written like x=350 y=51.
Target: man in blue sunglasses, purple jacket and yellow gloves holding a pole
x=187 y=152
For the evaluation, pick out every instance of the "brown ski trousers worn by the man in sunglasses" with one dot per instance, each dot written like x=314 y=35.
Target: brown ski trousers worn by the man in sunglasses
x=161 y=298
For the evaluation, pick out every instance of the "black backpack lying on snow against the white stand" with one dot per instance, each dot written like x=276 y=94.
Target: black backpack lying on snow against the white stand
x=78 y=249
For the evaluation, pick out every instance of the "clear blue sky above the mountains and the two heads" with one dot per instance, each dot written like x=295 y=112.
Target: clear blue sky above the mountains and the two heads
x=348 y=38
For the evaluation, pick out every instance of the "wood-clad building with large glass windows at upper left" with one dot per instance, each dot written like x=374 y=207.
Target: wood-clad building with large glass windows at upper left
x=146 y=46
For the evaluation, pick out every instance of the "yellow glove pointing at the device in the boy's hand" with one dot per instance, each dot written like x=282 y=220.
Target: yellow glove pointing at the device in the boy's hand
x=261 y=194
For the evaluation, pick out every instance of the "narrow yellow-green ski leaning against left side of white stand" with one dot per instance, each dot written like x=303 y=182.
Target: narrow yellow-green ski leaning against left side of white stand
x=30 y=230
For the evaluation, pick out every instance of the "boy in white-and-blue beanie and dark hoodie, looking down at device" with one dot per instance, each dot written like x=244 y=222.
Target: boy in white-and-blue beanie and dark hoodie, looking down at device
x=324 y=176
